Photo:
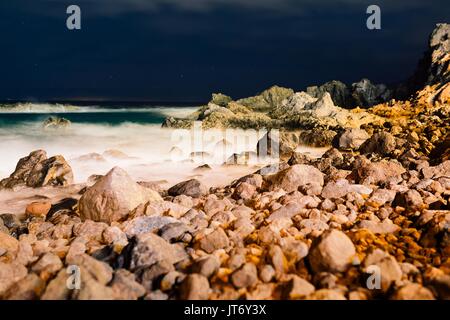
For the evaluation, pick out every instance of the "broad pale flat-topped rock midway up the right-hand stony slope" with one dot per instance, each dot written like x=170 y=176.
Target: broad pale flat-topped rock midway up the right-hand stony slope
x=296 y=176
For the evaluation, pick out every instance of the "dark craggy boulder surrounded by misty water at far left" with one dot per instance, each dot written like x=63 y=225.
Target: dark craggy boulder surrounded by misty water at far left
x=36 y=170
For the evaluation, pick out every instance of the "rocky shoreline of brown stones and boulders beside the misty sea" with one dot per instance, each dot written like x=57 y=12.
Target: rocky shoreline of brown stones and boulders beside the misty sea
x=368 y=220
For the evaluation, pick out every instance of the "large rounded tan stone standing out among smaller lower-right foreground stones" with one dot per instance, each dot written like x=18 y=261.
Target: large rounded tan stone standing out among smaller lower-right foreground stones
x=333 y=252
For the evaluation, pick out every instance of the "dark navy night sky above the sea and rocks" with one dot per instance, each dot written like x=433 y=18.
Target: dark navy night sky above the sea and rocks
x=183 y=50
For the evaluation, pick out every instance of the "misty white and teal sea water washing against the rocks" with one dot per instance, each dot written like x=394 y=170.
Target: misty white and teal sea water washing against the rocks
x=101 y=137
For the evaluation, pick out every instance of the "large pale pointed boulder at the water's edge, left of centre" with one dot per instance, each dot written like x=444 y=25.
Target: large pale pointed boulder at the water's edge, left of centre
x=113 y=197
